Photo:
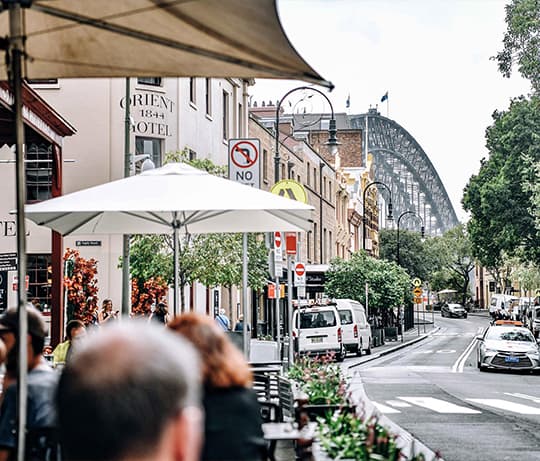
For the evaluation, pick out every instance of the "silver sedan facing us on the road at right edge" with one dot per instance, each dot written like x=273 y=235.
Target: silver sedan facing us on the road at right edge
x=508 y=347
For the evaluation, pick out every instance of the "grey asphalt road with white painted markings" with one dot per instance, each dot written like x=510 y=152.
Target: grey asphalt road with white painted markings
x=434 y=390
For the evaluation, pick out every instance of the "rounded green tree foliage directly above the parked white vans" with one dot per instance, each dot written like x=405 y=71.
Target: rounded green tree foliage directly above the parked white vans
x=388 y=284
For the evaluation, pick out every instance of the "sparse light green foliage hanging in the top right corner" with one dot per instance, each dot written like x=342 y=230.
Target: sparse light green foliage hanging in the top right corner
x=522 y=41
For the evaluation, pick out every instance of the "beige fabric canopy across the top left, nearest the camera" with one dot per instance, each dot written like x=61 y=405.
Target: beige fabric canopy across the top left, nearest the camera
x=121 y=38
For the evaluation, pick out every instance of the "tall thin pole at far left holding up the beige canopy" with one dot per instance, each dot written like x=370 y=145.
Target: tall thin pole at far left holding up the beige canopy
x=16 y=51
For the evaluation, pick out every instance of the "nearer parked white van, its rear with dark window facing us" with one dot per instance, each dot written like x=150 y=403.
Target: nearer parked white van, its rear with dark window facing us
x=320 y=331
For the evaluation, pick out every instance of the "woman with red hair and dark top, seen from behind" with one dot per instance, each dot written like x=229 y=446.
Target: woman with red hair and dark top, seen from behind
x=233 y=430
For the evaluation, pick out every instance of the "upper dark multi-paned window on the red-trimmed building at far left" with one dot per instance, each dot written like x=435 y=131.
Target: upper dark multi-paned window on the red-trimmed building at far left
x=39 y=172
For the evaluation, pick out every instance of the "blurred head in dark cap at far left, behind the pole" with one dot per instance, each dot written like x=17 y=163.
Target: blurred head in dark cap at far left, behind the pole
x=9 y=329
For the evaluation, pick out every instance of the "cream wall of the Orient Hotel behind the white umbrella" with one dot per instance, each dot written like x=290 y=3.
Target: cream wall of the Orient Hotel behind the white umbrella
x=95 y=107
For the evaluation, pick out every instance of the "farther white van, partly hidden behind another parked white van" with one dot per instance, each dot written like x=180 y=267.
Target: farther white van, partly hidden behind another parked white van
x=356 y=329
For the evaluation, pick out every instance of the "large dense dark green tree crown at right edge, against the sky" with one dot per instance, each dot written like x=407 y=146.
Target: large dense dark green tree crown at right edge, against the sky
x=500 y=198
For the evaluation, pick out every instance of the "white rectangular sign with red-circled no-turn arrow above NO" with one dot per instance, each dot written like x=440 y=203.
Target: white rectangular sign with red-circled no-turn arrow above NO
x=244 y=161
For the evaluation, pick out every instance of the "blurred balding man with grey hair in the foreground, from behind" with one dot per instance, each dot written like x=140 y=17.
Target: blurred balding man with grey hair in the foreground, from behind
x=131 y=391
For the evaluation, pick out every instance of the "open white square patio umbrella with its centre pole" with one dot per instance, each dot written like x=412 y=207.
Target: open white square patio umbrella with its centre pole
x=172 y=199
